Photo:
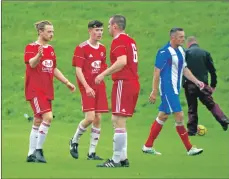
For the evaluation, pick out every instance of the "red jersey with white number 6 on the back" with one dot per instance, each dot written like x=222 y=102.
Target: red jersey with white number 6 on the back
x=125 y=45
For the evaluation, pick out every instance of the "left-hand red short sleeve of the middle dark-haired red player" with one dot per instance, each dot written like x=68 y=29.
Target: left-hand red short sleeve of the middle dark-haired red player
x=78 y=58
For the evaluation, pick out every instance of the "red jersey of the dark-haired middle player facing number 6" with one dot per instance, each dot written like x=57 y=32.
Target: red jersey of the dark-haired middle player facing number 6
x=91 y=59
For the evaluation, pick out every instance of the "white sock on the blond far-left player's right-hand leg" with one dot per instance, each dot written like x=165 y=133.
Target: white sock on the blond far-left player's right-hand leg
x=43 y=131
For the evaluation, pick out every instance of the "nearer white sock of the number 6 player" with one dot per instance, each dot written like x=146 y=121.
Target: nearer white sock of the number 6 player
x=118 y=143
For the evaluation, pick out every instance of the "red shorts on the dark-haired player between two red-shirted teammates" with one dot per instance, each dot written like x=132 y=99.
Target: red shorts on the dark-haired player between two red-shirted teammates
x=98 y=104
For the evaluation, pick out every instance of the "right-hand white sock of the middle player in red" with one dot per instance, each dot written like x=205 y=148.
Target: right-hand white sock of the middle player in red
x=95 y=133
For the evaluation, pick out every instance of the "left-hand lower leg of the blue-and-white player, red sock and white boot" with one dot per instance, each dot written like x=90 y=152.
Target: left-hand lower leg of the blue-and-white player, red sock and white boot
x=154 y=132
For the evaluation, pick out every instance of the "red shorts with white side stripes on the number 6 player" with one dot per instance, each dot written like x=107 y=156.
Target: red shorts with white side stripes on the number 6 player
x=124 y=97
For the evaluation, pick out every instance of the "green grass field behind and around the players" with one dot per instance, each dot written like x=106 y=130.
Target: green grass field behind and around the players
x=148 y=23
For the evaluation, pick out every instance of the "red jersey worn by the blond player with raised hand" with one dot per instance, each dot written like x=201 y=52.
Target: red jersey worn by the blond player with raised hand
x=39 y=80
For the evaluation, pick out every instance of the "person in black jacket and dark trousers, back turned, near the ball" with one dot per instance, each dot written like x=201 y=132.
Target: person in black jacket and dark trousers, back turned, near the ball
x=200 y=63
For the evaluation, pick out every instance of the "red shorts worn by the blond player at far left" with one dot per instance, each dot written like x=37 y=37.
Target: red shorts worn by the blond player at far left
x=40 y=105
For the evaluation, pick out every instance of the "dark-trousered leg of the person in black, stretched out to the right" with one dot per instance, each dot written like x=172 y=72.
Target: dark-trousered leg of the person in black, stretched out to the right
x=207 y=99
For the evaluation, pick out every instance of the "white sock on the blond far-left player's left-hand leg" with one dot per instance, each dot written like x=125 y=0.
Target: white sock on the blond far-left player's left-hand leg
x=33 y=140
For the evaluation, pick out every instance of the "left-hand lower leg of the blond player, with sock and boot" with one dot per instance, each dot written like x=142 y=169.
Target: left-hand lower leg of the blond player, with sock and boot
x=33 y=139
